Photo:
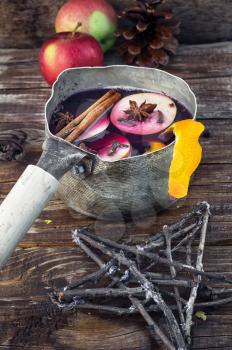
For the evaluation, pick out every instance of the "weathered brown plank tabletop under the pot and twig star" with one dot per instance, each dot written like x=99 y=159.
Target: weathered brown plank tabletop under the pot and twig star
x=47 y=257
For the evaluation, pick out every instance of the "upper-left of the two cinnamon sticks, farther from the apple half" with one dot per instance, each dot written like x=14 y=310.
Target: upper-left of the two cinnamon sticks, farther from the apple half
x=64 y=132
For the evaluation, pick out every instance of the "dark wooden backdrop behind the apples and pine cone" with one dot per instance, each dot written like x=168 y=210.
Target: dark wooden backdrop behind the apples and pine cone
x=27 y=23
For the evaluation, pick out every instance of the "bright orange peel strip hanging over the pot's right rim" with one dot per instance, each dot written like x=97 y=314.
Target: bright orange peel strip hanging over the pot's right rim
x=187 y=155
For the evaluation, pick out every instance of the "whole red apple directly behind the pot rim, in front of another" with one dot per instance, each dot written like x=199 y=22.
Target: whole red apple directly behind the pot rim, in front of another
x=67 y=50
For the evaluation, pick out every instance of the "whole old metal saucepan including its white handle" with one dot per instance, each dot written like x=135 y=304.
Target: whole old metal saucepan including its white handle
x=129 y=187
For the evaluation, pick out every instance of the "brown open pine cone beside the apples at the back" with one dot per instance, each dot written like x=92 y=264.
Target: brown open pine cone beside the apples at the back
x=147 y=37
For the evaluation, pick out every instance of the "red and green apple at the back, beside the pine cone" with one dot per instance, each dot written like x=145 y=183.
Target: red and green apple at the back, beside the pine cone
x=97 y=17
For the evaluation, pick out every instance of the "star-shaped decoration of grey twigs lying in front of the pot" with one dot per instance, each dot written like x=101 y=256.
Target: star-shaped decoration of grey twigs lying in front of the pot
x=129 y=268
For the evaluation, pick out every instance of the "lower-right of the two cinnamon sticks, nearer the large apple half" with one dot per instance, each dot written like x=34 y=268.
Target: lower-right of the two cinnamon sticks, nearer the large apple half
x=92 y=116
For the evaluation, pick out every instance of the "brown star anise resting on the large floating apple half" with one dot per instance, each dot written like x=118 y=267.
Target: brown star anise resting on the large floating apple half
x=141 y=112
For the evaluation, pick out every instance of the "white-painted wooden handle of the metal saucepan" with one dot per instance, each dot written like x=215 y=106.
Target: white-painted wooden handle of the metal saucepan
x=22 y=206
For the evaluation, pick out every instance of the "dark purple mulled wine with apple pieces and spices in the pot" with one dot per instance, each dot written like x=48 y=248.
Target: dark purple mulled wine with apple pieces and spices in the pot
x=118 y=123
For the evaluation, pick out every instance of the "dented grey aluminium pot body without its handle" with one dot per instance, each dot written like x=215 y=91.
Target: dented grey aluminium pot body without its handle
x=133 y=187
